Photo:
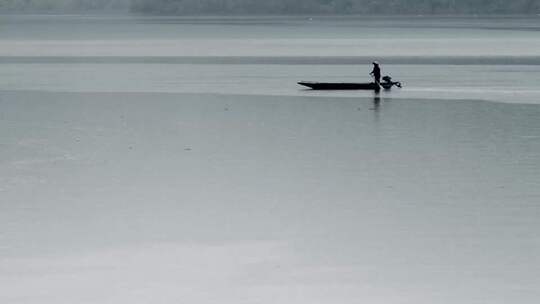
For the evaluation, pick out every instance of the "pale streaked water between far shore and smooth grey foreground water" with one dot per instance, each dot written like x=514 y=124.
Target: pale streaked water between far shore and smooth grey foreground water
x=452 y=58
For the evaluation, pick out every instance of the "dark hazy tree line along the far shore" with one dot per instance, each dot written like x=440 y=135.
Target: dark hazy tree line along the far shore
x=235 y=7
